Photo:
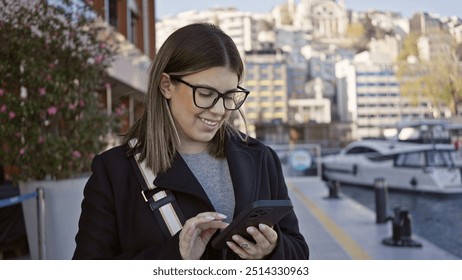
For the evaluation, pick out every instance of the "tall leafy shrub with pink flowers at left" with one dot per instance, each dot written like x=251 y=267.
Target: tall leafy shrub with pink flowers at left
x=51 y=66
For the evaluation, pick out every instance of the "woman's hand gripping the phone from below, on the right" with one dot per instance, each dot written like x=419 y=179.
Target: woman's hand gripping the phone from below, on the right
x=266 y=239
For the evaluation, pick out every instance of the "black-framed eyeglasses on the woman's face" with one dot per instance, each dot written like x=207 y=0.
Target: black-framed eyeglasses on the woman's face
x=206 y=97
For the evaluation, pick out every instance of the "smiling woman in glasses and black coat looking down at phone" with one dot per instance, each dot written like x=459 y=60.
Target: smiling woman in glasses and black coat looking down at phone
x=206 y=171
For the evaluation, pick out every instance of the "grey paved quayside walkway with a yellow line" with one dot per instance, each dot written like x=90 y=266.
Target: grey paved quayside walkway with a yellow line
x=342 y=229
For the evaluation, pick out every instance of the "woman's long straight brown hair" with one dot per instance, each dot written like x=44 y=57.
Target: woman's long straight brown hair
x=188 y=50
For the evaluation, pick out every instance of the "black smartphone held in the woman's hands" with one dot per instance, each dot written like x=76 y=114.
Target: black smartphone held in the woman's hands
x=268 y=212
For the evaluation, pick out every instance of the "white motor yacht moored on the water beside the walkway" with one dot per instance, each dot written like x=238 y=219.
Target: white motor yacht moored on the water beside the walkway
x=409 y=166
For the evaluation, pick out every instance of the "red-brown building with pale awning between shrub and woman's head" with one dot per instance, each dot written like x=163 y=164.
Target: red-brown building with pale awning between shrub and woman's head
x=126 y=83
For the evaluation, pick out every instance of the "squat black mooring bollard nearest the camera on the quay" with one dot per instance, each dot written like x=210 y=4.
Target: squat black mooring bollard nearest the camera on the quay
x=401 y=230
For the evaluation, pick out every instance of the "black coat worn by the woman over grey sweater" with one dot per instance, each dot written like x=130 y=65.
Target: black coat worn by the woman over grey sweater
x=116 y=222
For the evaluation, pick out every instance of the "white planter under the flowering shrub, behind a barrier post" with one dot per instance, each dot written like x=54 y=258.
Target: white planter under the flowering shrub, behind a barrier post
x=63 y=200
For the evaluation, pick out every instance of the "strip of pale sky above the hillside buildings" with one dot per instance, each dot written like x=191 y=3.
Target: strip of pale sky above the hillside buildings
x=406 y=7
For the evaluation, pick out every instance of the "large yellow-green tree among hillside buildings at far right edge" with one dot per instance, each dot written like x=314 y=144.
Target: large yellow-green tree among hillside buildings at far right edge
x=437 y=76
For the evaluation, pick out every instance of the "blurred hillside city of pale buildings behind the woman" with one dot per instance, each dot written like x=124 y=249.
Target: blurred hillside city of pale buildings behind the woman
x=326 y=74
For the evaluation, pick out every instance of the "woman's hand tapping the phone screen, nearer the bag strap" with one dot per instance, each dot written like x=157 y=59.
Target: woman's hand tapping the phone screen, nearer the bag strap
x=196 y=233
